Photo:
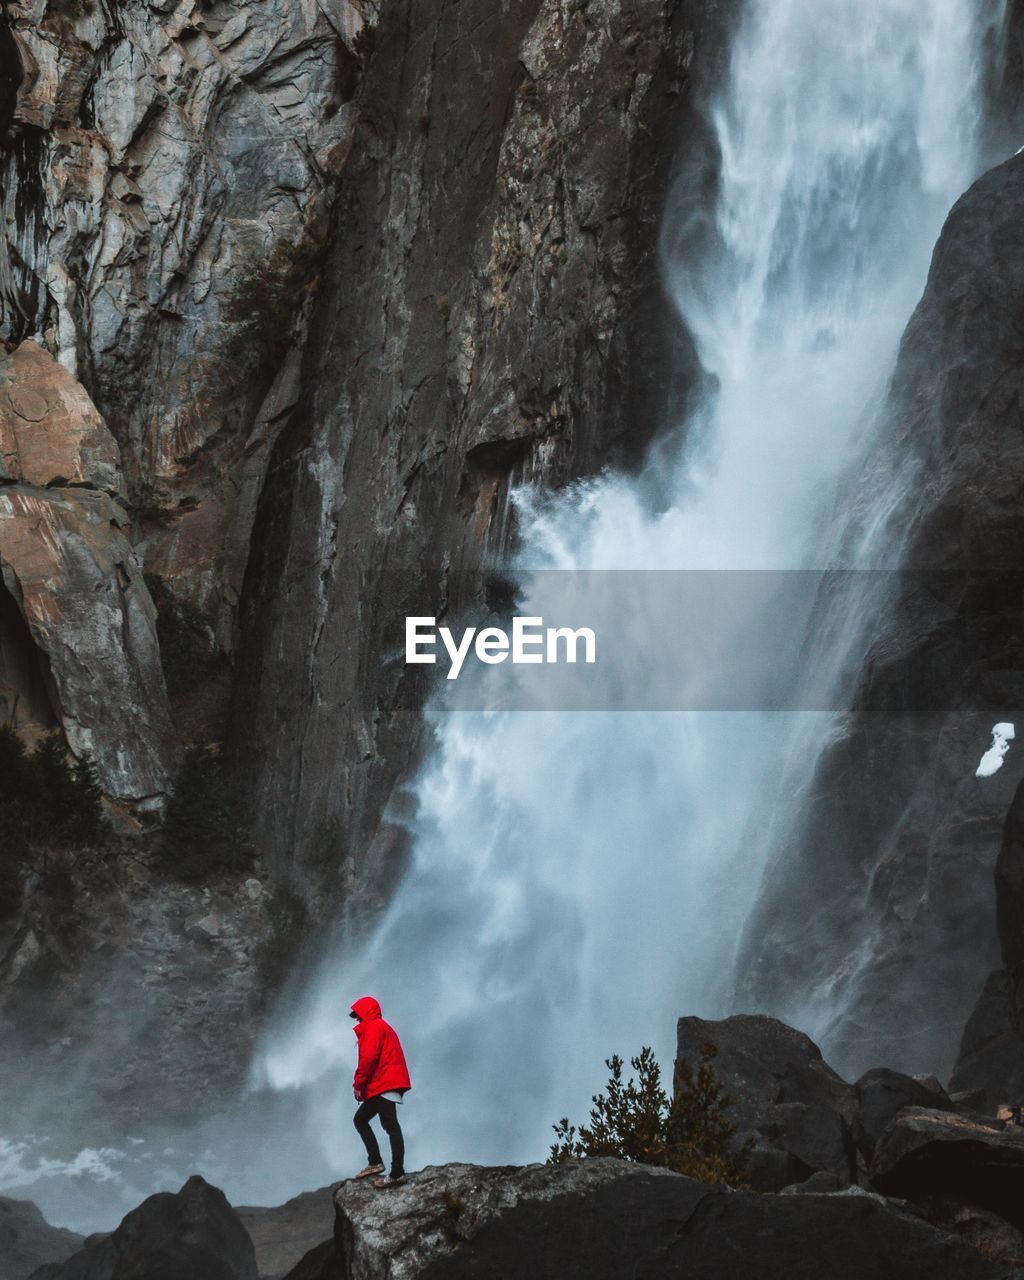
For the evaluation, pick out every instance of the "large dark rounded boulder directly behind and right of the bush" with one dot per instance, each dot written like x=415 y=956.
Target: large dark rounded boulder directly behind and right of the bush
x=797 y=1109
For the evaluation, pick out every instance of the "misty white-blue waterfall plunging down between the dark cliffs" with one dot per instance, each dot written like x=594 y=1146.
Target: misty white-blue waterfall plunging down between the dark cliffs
x=582 y=879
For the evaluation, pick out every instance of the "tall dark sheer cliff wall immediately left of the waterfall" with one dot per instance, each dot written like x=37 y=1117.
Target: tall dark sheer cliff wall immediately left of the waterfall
x=513 y=332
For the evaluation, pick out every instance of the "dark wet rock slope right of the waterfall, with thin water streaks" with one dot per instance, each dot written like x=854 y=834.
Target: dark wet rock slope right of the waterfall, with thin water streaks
x=877 y=921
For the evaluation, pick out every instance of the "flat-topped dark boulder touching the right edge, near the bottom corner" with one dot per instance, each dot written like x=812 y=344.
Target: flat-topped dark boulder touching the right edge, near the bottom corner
x=929 y=1156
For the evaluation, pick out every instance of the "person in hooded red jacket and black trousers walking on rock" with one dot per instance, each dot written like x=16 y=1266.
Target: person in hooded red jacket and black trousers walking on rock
x=380 y=1085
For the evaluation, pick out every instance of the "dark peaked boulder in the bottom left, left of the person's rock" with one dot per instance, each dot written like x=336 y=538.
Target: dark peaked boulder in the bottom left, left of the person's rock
x=193 y=1235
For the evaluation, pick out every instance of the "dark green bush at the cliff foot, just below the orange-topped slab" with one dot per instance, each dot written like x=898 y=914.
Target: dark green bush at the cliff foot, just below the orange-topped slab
x=207 y=820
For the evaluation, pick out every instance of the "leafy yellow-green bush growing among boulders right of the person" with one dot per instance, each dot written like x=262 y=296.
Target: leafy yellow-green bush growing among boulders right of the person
x=637 y=1122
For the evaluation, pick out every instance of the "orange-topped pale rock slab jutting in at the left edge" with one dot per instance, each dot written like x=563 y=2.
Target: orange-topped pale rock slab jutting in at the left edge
x=80 y=646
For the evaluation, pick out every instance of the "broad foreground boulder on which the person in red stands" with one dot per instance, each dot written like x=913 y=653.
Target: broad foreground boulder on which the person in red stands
x=605 y=1219
